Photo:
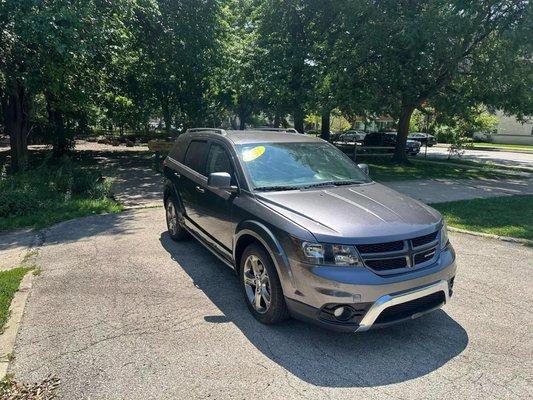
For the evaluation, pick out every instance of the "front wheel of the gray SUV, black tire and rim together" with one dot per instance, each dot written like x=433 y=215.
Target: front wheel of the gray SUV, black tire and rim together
x=261 y=286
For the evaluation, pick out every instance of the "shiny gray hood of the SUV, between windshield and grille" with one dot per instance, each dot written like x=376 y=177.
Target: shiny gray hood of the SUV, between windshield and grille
x=369 y=213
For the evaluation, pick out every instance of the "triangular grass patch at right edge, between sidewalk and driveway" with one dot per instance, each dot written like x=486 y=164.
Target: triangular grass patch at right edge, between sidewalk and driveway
x=504 y=216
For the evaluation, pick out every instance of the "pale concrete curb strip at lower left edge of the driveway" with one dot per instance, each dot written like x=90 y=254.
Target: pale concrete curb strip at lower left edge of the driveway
x=8 y=337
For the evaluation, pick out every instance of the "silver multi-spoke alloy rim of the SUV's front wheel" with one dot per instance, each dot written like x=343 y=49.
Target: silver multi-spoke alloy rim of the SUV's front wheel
x=257 y=284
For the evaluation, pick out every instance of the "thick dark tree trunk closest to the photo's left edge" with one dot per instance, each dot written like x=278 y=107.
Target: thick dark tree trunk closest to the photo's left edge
x=16 y=117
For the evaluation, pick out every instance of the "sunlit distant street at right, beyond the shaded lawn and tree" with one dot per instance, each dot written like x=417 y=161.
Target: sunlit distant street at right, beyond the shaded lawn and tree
x=497 y=157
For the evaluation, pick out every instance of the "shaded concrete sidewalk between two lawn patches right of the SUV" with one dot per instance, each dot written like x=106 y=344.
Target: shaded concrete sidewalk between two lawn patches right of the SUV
x=444 y=190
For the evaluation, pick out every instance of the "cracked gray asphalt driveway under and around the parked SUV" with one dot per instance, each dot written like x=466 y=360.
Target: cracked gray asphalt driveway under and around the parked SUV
x=120 y=311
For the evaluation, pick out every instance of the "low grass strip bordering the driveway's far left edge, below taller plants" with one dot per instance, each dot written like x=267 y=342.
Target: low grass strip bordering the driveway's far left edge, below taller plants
x=72 y=208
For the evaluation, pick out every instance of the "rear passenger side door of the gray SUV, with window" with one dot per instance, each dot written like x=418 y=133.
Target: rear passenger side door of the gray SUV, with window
x=194 y=181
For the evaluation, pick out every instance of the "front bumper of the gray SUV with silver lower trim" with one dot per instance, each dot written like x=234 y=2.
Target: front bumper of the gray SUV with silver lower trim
x=373 y=300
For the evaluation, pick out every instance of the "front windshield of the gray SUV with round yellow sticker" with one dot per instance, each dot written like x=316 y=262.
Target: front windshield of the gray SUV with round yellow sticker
x=286 y=166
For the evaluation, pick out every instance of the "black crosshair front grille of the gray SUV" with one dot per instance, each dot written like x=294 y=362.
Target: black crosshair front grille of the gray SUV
x=418 y=252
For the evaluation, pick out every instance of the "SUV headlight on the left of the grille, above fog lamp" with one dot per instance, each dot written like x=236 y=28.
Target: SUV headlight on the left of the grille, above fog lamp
x=331 y=254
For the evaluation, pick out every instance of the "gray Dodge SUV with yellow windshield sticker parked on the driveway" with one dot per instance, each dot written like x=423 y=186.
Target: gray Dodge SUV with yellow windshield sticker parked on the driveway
x=309 y=234
